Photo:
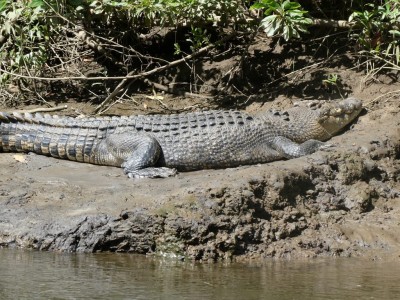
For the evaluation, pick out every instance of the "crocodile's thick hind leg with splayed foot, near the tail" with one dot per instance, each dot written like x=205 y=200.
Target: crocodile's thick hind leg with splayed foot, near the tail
x=136 y=152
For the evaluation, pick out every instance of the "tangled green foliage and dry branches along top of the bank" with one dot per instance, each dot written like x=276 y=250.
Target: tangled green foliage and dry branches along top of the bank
x=45 y=42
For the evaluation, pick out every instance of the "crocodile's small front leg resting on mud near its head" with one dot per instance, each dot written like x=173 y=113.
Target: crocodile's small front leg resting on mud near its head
x=290 y=149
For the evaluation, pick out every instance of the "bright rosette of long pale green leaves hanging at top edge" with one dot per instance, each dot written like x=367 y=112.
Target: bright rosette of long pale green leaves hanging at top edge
x=285 y=18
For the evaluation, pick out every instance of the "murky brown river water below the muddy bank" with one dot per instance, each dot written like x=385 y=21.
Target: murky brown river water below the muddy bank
x=42 y=275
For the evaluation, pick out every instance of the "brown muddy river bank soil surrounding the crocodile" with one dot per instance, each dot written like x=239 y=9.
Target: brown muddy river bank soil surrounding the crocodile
x=341 y=201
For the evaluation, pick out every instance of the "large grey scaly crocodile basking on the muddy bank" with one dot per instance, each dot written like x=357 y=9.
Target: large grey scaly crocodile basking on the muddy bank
x=161 y=145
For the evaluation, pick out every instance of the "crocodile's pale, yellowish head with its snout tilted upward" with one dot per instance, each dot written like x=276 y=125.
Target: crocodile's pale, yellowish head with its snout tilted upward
x=334 y=118
